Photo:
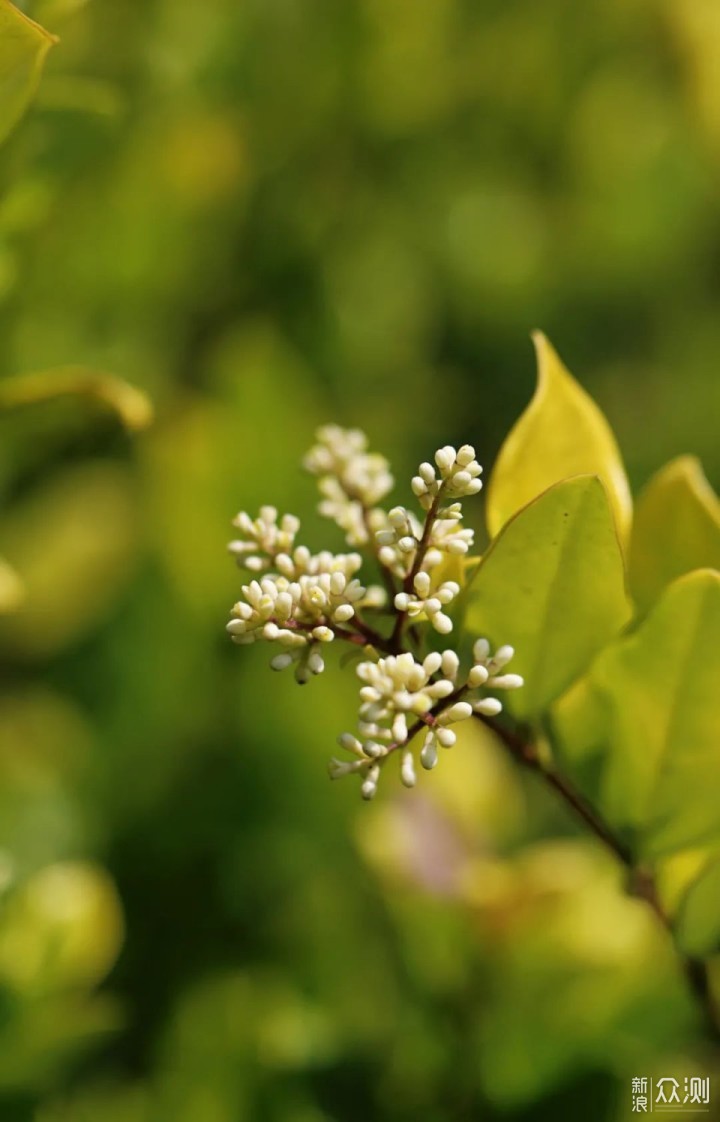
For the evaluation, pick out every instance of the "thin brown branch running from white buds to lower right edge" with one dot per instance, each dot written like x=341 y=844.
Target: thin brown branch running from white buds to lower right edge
x=642 y=882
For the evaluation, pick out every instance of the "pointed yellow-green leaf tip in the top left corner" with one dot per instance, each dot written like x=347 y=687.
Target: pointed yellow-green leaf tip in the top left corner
x=23 y=48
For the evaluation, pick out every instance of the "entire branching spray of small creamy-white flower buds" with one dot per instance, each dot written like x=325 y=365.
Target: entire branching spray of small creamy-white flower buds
x=302 y=601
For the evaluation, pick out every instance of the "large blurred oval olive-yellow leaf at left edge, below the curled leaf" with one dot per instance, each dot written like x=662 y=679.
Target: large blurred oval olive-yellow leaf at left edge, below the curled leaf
x=75 y=542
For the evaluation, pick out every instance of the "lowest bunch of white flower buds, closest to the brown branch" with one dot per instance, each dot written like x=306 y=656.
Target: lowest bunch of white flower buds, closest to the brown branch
x=398 y=687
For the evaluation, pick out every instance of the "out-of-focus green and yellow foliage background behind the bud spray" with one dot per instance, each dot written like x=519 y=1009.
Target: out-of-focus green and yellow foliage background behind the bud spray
x=273 y=215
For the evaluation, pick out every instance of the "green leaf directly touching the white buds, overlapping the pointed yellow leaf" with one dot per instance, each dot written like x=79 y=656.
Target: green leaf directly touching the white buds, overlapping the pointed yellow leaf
x=553 y=586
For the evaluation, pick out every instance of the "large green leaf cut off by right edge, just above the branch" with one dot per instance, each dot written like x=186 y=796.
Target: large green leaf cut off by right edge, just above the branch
x=662 y=686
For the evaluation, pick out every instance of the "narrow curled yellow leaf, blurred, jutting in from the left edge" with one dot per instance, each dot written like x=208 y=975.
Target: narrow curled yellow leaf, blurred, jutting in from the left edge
x=133 y=407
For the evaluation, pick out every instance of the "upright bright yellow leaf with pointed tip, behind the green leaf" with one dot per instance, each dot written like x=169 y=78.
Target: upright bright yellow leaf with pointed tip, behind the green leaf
x=562 y=434
